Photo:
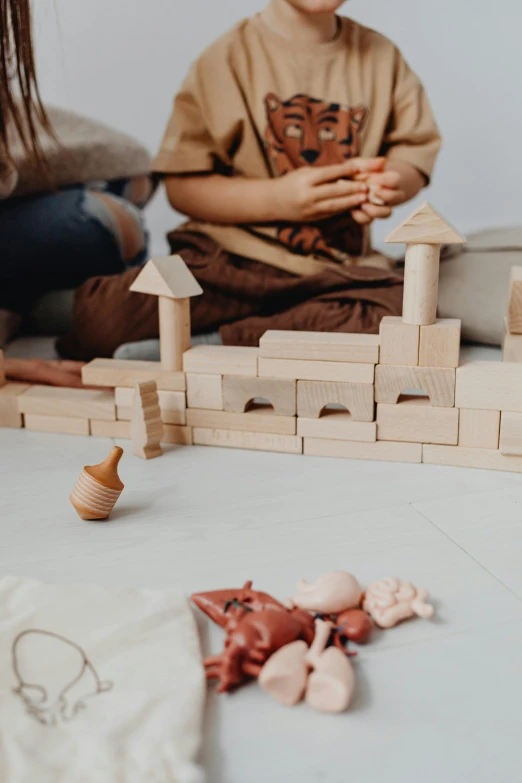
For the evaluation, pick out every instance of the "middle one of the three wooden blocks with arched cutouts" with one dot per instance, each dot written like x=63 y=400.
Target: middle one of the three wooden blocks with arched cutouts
x=357 y=398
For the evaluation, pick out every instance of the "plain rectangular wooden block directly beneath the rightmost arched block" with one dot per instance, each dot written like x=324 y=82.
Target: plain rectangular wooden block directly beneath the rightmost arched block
x=414 y=420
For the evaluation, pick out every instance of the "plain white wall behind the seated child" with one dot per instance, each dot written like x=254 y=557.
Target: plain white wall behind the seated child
x=121 y=61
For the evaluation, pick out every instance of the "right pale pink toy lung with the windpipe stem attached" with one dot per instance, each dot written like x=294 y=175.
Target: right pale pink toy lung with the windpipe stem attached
x=331 y=685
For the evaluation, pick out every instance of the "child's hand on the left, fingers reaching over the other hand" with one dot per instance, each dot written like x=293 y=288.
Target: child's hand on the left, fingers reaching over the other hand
x=309 y=194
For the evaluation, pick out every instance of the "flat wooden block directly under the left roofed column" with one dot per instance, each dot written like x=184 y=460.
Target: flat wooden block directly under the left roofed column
x=127 y=372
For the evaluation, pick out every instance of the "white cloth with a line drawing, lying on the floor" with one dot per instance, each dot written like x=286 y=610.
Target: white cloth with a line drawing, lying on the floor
x=98 y=685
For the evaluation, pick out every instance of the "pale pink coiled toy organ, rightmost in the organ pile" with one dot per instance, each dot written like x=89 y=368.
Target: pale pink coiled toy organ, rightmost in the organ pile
x=391 y=600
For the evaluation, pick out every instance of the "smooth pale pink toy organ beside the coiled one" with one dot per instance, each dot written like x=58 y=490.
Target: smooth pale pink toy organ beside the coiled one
x=329 y=594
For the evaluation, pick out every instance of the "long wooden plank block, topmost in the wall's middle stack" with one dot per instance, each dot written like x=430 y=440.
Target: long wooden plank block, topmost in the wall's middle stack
x=320 y=346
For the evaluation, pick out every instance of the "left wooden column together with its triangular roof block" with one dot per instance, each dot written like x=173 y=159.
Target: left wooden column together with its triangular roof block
x=174 y=284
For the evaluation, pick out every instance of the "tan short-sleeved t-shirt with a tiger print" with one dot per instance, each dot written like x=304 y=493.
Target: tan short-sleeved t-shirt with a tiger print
x=257 y=105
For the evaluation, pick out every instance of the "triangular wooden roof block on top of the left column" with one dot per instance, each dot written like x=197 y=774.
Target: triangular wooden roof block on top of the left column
x=168 y=276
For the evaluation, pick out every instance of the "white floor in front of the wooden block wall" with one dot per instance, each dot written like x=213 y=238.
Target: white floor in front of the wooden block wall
x=436 y=701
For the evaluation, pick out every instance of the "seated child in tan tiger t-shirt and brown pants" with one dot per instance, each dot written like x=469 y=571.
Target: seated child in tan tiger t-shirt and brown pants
x=289 y=136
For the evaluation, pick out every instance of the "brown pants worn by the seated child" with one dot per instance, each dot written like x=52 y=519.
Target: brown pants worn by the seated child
x=242 y=298
